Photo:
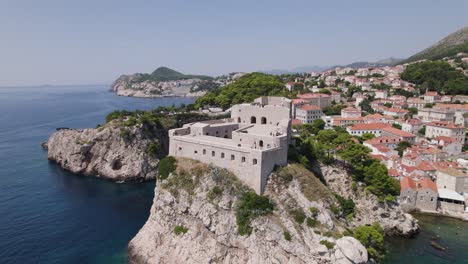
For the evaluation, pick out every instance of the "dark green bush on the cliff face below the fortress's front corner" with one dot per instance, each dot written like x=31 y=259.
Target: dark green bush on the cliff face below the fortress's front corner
x=250 y=206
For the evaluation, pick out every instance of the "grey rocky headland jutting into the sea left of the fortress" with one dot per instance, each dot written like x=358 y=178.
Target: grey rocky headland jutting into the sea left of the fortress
x=111 y=152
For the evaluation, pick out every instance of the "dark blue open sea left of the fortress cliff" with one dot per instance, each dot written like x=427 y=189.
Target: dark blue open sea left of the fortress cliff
x=46 y=214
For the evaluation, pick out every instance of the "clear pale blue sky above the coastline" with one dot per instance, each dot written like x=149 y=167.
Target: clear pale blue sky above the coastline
x=94 y=41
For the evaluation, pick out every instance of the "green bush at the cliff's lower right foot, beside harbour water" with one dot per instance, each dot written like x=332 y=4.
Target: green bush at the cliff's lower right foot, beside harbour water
x=372 y=237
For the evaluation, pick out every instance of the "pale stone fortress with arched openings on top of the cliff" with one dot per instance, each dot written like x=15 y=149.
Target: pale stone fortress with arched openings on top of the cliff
x=250 y=143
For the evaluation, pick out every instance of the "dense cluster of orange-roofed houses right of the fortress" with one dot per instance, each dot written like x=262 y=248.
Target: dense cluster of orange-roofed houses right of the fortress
x=433 y=170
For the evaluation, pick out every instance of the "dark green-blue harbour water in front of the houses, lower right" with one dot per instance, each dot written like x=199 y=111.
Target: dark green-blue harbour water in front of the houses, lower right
x=452 y=233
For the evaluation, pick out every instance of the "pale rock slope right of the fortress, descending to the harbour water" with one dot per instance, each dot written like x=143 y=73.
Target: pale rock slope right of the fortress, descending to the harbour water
x=391 y=217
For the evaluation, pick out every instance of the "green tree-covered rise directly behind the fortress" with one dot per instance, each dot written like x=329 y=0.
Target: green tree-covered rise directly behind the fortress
x=245 y=89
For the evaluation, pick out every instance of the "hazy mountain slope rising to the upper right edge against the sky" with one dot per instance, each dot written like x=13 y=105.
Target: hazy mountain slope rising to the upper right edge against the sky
x=448 y=46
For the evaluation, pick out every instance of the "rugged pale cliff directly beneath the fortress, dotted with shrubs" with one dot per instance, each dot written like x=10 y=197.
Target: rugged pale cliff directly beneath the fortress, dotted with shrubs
x=194 y=219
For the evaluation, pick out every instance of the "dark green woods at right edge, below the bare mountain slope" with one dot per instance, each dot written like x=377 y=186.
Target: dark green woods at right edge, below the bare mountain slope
x=436 y=76
